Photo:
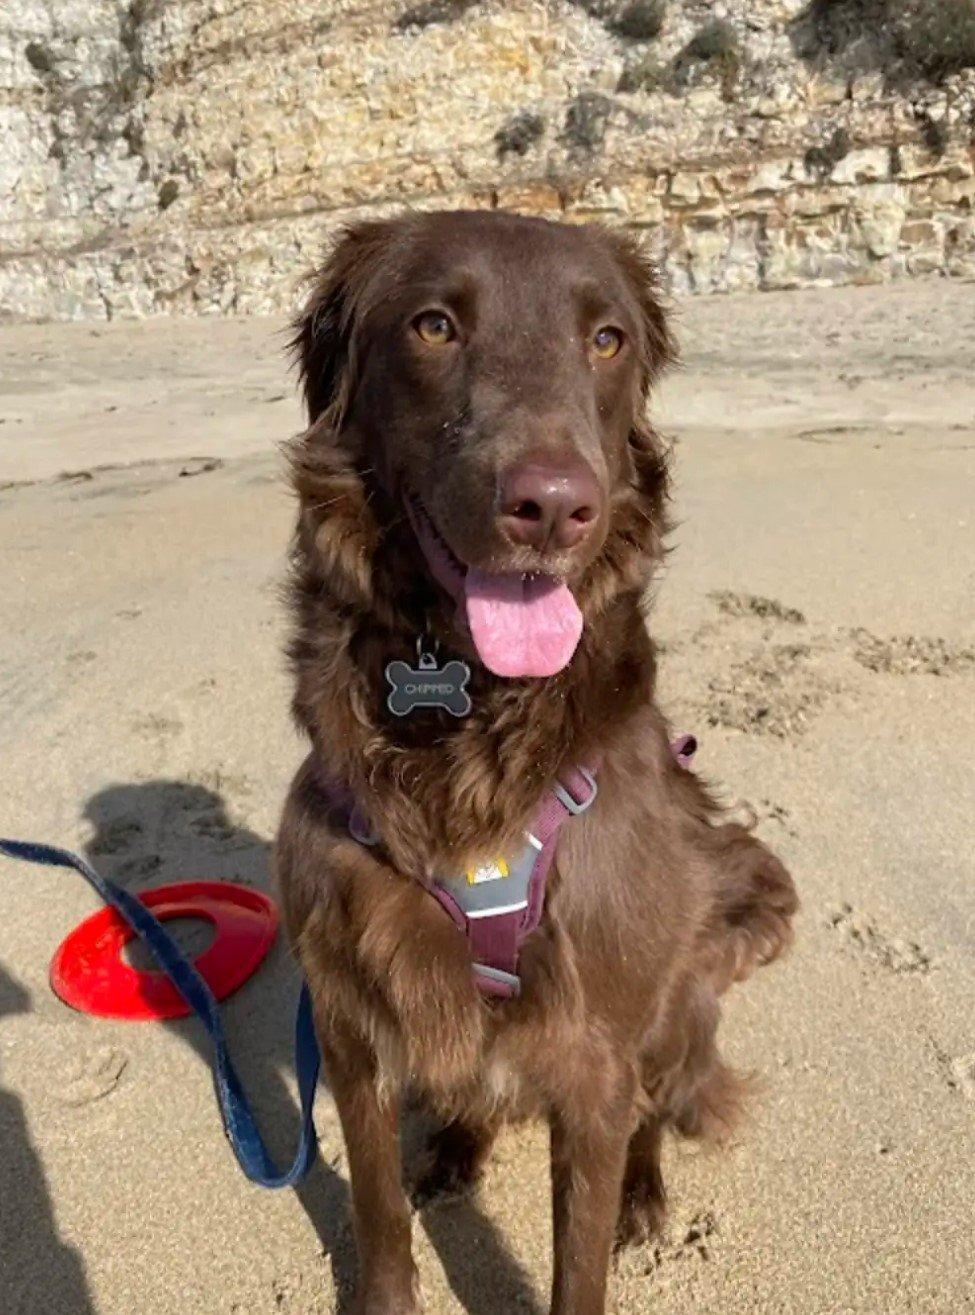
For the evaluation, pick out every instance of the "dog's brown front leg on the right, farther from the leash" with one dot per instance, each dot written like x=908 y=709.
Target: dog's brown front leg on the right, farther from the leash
x=589 y=1155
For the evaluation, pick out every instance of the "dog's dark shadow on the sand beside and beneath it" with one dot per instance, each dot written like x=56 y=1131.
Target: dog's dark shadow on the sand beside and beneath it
x=152 y=833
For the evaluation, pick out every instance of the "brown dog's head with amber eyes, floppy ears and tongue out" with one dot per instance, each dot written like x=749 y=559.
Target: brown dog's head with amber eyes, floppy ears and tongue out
x=485 y=377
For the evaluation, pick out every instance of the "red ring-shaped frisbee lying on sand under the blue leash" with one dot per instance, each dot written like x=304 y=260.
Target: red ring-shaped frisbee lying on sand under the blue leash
x=89 y=974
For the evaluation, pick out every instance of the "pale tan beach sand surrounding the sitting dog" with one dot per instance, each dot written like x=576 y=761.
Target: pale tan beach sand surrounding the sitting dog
x=816 y=619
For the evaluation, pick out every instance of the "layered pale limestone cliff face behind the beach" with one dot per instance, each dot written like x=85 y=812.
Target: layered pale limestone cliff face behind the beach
x=198 y=156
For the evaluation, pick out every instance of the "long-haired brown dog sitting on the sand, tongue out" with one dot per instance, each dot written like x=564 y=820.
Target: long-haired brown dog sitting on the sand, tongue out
x=478 y=474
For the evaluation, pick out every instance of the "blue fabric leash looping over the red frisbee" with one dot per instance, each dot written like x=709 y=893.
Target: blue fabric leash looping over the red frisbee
x=239 y=1121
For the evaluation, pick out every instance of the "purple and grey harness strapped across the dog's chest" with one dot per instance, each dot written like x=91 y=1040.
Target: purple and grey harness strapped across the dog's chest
x=499 y=904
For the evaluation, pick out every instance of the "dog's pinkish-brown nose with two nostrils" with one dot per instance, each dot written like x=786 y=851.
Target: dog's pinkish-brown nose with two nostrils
x=549 y=504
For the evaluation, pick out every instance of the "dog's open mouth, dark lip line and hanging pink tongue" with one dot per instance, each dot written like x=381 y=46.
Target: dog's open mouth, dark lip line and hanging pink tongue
x=522 y=625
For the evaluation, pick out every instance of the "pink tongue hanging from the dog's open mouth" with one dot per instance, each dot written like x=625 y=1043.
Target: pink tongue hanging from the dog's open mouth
x=522 y=625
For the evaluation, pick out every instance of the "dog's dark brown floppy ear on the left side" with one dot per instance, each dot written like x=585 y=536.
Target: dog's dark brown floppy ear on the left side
x=324 y=341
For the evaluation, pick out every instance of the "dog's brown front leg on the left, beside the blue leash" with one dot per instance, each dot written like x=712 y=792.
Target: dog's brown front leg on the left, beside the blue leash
x=387 y=1281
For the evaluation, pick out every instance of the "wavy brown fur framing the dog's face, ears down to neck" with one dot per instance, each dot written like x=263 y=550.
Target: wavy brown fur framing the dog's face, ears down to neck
x=360 y=595
